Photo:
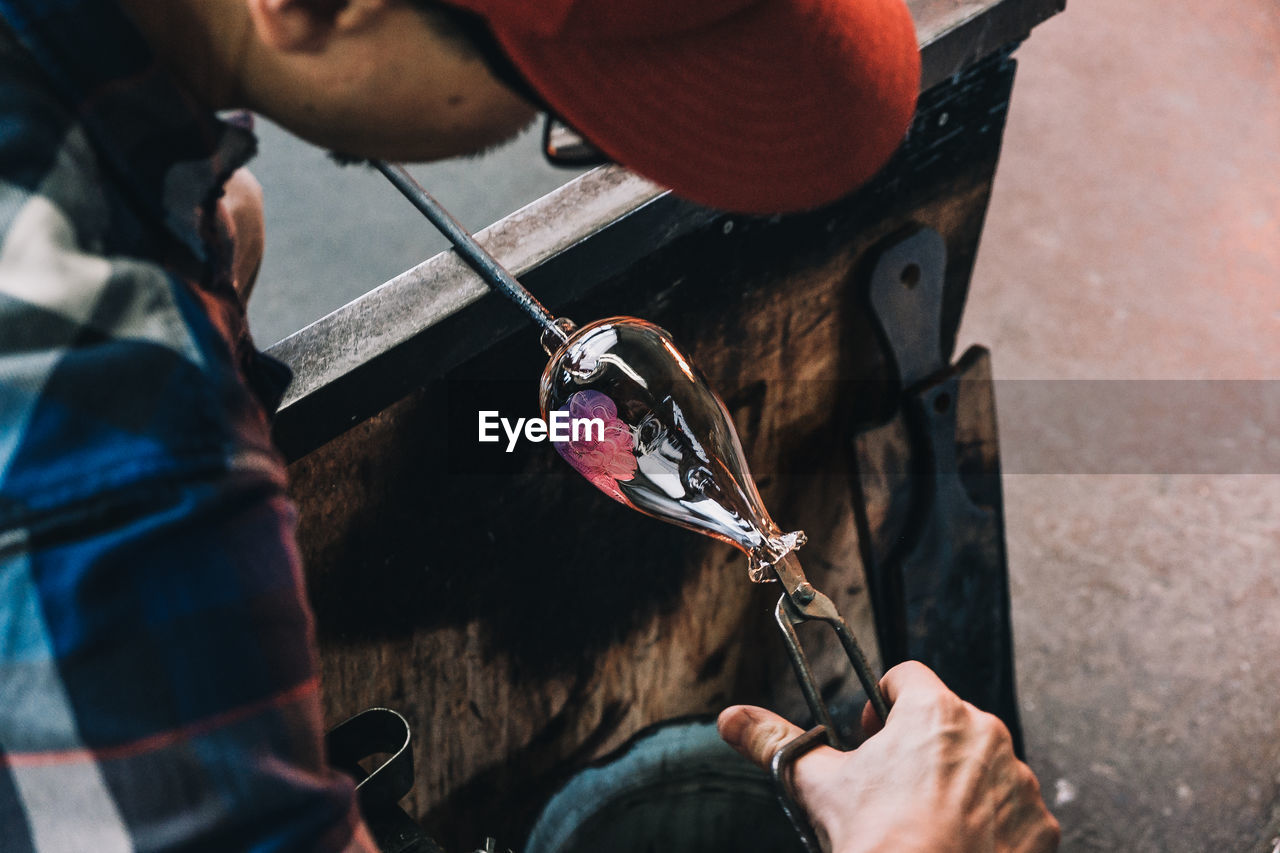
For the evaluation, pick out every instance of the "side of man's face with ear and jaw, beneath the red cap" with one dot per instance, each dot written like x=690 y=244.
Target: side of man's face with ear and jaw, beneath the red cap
x=377 y=79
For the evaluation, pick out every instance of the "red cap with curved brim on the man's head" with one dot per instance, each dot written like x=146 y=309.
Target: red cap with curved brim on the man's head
x=749 y=106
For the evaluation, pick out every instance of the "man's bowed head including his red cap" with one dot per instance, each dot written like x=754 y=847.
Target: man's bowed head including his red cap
x=753 y=106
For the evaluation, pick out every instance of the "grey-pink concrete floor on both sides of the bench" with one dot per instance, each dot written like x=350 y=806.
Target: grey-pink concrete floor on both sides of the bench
x=1135 y=235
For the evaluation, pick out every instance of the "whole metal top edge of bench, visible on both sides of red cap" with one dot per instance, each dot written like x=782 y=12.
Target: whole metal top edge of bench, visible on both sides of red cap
x=353 y=363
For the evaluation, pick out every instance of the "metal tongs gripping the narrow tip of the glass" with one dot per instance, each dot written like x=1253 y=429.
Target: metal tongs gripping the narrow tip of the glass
x=801 y=604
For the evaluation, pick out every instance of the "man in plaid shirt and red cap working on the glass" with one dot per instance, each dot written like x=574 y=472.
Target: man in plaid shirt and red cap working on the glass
x=158 y=683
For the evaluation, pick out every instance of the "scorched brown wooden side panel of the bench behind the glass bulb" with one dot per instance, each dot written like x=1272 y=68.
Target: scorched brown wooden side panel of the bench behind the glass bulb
x=524 y=623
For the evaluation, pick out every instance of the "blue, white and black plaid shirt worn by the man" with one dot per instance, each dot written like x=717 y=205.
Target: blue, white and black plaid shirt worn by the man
x=158 y=669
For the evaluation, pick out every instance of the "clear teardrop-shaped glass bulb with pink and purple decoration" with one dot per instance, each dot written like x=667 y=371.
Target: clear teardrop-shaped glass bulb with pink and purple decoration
x=662 y=443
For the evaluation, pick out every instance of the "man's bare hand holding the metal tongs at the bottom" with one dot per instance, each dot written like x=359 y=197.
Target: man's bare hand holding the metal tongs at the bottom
x=940 y=776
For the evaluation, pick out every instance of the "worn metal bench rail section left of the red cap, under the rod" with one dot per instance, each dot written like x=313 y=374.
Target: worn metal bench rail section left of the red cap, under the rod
x=364 y=357
